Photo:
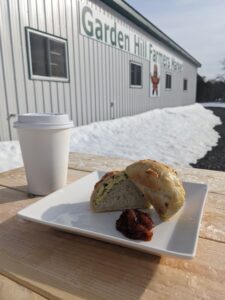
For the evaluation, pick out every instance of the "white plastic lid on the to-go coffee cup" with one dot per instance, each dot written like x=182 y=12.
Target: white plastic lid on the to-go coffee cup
x=43 y=121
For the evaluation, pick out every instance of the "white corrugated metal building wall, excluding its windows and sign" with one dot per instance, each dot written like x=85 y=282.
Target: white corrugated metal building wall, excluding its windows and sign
x=99 y=74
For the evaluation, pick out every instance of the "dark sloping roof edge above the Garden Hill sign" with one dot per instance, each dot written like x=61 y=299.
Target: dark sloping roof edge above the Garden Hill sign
x=133 y=15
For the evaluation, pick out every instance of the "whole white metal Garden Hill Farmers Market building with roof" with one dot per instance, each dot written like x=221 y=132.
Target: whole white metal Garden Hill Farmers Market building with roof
x=95 y=60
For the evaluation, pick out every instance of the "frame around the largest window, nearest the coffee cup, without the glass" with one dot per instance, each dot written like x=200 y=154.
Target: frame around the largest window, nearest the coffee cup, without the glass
x=51 y=37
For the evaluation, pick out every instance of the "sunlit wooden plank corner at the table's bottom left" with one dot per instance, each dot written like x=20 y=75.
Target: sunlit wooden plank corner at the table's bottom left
x=10 y=289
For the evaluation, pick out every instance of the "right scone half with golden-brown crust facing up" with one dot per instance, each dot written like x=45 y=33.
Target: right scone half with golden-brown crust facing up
x=160 y=185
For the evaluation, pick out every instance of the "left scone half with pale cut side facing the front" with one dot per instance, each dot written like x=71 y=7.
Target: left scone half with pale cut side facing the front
x=116 y=192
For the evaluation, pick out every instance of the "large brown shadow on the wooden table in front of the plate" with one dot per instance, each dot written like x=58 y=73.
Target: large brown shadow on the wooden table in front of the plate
x=70 y=263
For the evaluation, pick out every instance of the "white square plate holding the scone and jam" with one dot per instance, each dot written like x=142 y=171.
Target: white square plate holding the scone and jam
x=68 y=209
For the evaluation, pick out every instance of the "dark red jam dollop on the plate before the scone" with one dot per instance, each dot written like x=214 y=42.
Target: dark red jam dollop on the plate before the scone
x=135 y=224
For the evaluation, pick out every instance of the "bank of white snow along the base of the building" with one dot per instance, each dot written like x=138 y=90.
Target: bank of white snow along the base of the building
x=177 y=136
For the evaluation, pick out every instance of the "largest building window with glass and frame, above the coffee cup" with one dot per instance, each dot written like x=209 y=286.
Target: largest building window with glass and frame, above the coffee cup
x=47 y=56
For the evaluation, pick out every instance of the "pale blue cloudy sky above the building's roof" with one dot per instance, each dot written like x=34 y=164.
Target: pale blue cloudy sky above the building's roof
x=198 y=26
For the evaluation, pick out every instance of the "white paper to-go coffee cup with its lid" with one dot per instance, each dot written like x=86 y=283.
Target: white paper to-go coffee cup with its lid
x=44 y=141
